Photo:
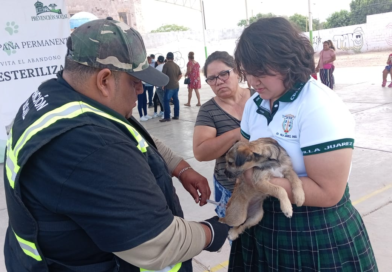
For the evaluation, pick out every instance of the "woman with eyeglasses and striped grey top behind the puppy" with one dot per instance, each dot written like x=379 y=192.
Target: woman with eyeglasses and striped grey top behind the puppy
x=217 y=125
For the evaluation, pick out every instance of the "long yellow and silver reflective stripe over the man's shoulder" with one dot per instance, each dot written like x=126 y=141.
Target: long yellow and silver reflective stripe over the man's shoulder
x=67 y=111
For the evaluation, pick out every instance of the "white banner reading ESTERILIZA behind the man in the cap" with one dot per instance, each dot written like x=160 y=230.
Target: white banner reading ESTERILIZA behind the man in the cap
x=33 y=37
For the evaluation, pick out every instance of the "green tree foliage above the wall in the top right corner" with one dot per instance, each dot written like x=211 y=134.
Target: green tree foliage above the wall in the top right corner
x=361 y=8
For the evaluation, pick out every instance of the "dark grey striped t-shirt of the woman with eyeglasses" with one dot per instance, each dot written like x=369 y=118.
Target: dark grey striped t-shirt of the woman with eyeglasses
x=211 y=115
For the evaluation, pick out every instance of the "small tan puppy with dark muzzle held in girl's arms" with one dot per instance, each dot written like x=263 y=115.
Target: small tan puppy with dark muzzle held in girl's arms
x=268 y=159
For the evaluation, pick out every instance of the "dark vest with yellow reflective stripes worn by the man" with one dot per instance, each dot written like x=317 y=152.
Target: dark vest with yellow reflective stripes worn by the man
x=22 y=252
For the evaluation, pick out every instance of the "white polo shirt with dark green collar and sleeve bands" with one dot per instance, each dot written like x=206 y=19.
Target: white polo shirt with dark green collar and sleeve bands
x=308 y=119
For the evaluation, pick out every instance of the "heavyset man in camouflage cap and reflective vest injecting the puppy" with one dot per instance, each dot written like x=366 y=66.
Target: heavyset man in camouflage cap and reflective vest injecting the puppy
x=87 y=188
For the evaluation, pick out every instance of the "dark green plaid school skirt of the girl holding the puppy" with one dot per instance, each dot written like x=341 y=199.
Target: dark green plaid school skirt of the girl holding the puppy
x=314 y=239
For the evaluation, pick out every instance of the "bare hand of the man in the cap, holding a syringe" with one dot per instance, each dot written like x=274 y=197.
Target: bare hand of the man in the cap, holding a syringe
x=196 y=185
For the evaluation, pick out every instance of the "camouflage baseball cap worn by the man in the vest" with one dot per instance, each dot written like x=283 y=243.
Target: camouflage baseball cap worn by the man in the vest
x=106 y=43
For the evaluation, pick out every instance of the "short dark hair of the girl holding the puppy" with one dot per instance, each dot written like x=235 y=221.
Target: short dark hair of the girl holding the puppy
x=274 y=45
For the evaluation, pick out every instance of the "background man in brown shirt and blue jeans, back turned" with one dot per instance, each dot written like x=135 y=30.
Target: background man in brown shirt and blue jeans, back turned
x=173 y=71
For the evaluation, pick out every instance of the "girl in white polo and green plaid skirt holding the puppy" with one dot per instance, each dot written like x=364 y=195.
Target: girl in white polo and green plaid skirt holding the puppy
x=316 y=129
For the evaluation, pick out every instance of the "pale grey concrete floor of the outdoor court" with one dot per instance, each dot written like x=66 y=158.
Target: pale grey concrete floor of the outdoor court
x=370 y=180
